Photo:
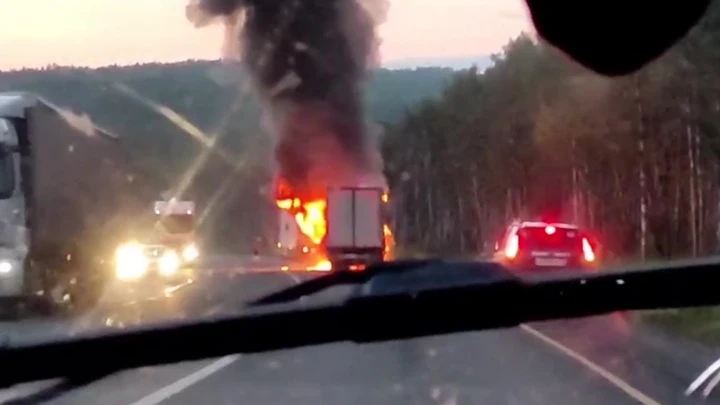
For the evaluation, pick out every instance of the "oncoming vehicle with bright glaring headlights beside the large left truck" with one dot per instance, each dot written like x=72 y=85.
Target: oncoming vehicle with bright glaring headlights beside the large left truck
x=166 y=251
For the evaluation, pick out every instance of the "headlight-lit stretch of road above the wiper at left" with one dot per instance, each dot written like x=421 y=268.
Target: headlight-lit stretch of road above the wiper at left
x=216 y=289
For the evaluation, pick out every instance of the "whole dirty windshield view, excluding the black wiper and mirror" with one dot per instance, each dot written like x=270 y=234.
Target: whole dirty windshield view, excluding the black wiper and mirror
x=307 y=137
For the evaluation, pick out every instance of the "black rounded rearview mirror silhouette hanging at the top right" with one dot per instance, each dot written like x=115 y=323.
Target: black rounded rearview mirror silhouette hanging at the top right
x=612 y=37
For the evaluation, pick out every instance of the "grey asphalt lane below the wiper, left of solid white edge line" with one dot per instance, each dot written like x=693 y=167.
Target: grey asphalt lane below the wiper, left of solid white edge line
x=507 y=366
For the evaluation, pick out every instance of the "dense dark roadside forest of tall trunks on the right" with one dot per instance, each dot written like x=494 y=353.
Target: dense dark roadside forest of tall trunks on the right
x=634 y=158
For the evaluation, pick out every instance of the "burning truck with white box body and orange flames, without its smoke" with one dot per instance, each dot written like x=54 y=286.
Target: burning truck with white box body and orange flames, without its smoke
x=345 y=229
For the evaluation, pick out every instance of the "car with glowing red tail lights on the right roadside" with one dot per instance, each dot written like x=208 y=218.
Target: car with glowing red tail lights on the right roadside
x=538 y=246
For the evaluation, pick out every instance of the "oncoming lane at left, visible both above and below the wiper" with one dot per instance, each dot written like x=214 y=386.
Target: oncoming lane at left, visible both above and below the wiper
x=222 y=286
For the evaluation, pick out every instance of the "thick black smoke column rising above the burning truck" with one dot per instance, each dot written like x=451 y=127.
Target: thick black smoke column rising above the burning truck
x=309 y=59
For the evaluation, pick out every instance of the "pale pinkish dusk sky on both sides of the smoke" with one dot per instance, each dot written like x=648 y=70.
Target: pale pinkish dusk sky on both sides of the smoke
x=103 y=32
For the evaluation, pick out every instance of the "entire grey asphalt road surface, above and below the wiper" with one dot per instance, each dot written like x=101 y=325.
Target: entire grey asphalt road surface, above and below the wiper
x=601 y=360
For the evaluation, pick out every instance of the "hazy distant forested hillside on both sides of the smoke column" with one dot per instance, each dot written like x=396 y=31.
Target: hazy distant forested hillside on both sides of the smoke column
x=168 y=114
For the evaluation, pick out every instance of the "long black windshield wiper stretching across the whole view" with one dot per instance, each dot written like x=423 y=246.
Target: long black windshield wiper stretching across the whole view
x=478 y=296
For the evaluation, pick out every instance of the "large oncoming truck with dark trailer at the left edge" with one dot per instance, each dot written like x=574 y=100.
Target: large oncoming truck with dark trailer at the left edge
x=65 y=200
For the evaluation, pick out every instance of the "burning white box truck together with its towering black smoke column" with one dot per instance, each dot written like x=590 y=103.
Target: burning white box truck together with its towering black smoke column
x=326 y=154
